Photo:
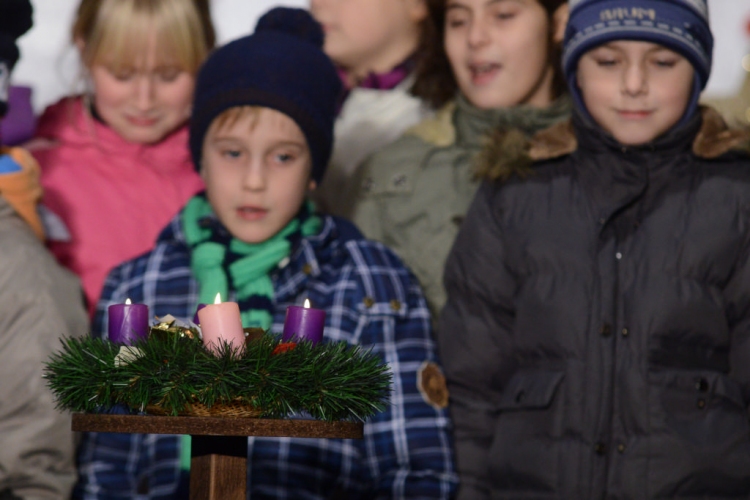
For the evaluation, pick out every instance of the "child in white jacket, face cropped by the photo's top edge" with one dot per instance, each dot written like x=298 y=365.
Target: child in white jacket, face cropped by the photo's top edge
x=376 y=45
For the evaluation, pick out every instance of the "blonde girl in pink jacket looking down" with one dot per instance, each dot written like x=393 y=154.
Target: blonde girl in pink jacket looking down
x=115 y=162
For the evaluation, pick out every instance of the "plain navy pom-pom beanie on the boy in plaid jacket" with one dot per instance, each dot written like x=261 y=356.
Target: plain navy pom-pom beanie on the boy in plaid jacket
x=280 y=66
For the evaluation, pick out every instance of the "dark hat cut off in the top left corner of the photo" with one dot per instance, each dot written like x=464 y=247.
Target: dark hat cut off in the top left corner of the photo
x=15 y=20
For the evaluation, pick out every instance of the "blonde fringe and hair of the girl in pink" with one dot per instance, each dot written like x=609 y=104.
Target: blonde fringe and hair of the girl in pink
x=116 y=32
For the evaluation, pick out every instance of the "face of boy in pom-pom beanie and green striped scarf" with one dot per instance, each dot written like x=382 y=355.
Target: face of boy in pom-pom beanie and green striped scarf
x=257 y=173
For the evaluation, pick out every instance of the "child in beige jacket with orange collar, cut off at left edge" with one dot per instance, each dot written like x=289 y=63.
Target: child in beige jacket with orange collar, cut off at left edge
x=40 y=302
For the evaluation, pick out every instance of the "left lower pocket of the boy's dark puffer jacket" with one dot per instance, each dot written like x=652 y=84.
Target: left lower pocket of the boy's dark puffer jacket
x=525 y=451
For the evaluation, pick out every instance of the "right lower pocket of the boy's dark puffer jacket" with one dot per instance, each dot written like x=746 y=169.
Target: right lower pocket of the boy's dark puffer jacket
x=700 y=436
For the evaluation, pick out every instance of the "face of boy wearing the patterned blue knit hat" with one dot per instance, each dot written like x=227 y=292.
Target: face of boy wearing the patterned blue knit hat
x=635 y=90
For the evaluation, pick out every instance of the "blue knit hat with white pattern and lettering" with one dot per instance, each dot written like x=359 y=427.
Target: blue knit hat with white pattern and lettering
x=680 y=25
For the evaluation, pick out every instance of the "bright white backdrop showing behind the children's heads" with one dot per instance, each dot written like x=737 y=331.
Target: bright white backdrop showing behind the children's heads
x=50 y=65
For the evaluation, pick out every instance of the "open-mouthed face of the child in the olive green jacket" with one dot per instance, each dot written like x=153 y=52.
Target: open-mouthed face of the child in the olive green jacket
x=499 y=51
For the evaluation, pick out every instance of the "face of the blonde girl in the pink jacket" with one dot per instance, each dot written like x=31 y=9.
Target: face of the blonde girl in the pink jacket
x=144 y=101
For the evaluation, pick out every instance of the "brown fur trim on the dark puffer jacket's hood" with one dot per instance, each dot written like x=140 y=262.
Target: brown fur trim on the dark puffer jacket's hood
x=509 y=152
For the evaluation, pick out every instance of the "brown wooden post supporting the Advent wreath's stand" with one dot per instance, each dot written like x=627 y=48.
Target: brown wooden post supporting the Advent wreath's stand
x=218 y=468
